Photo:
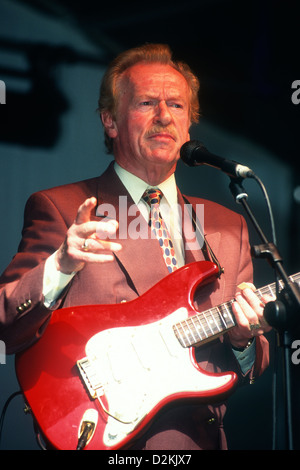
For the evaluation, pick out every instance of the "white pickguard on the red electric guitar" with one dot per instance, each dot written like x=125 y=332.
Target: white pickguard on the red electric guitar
x=139 y=367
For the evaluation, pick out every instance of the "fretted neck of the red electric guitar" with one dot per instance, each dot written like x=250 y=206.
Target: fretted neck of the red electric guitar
x=206 y=326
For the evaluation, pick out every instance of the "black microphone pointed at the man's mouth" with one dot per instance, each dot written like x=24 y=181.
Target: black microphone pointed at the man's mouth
x=193 y=153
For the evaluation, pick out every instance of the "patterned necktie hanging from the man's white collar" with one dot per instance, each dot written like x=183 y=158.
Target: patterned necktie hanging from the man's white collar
x=159 y=228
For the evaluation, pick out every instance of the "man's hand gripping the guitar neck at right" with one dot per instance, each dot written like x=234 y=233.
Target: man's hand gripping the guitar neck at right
x=248 y=310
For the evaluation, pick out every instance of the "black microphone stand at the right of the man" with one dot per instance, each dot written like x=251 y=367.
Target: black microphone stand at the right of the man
x=283 y=313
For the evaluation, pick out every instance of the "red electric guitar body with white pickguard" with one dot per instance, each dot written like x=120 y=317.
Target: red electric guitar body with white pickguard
x=141 y=364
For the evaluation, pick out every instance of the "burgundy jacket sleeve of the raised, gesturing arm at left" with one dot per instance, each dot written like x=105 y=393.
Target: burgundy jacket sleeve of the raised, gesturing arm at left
x=23 y=316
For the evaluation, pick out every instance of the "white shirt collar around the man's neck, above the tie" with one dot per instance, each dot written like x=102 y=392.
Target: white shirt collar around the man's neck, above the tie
x=136 y=186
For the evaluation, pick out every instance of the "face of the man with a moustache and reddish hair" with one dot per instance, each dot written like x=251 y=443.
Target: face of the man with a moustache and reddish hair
x=152 y=119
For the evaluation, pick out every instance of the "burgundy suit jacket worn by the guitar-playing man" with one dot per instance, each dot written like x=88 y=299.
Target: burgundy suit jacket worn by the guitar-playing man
x=136 y=268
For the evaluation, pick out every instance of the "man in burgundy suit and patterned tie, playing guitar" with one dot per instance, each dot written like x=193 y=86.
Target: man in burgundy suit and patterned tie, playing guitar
x=71 y=254
